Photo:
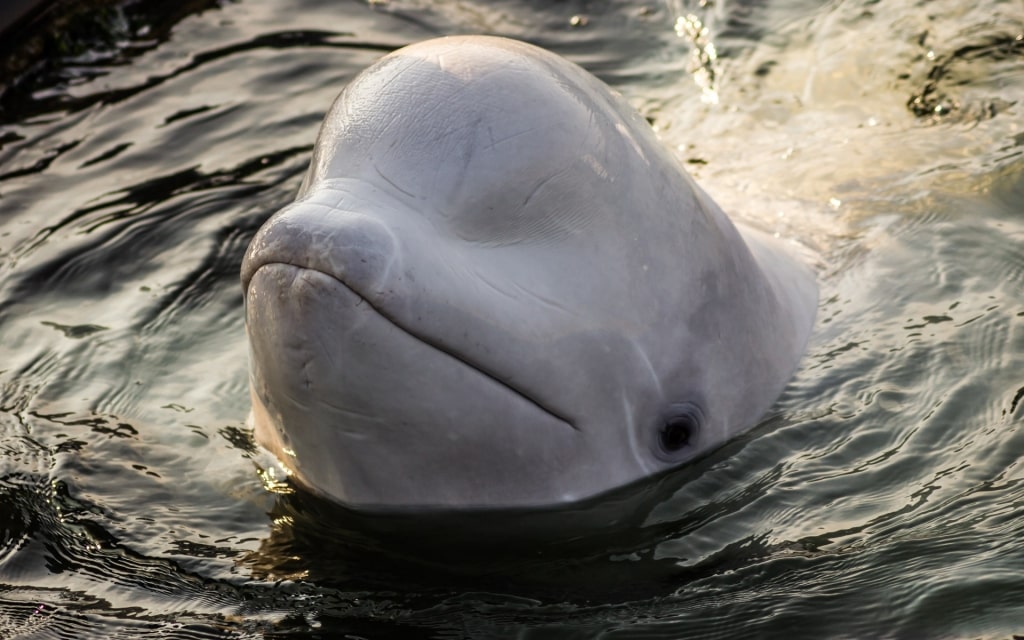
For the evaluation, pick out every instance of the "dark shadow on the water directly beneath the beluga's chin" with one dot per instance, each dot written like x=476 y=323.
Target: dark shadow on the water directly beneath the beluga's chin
x=579 y=554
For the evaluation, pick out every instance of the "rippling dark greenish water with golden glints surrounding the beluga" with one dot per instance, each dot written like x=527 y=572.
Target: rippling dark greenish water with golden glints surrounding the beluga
x=882 y=498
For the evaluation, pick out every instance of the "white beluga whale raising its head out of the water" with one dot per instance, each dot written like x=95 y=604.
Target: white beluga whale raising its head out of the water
x=497 y=290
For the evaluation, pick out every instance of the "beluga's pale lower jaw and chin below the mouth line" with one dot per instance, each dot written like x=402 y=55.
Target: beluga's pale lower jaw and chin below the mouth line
x=347 y=400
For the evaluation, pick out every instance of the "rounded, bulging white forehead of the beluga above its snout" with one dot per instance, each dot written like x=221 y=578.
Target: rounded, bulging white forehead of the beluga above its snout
x=456 y=130
